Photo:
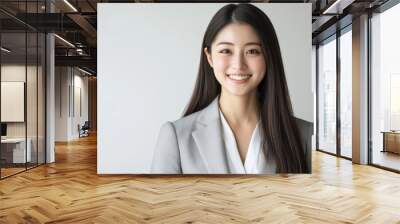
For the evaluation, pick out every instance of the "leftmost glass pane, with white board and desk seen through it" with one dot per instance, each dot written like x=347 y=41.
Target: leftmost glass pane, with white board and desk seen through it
x=13 y=87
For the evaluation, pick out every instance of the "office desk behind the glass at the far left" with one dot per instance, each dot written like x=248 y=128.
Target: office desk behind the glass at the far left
x=13 y=150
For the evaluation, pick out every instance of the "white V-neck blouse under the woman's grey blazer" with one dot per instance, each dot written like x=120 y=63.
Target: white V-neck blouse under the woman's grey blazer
x=255 y=162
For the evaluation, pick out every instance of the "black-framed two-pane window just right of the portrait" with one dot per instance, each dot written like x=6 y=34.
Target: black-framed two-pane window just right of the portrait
x=335 y=53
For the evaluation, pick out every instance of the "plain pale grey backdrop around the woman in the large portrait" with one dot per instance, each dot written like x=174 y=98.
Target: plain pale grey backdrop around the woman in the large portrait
x=147 y=67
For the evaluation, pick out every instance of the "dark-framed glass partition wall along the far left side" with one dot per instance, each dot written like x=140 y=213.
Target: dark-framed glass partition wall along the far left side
x=22 y=77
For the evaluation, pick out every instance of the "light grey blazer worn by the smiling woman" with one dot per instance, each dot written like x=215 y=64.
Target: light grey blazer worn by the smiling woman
x=194 y=144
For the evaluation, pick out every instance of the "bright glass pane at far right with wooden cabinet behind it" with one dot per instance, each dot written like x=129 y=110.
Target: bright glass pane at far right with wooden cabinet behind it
x=386 y=89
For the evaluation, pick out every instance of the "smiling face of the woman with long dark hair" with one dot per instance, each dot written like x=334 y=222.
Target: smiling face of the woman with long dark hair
x=237 y=59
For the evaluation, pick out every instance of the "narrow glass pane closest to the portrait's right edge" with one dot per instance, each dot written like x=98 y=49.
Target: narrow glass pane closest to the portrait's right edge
x=327 y=96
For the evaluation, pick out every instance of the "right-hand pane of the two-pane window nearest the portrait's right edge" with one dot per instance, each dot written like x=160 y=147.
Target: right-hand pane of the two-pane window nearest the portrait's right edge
x=345 y=94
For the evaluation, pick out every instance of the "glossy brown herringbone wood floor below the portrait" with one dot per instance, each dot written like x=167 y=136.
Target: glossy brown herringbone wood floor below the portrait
x=70 y=191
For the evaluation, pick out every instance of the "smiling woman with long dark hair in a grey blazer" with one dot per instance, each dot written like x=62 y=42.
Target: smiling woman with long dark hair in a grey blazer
x=239 y=119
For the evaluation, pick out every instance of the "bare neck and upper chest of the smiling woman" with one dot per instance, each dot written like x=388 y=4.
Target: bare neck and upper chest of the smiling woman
x=239 y=110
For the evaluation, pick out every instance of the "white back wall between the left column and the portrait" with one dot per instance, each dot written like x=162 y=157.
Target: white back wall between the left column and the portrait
x=68 y=81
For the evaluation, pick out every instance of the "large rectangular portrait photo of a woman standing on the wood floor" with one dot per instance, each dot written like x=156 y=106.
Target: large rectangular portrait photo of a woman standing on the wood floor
x=236 y=113
